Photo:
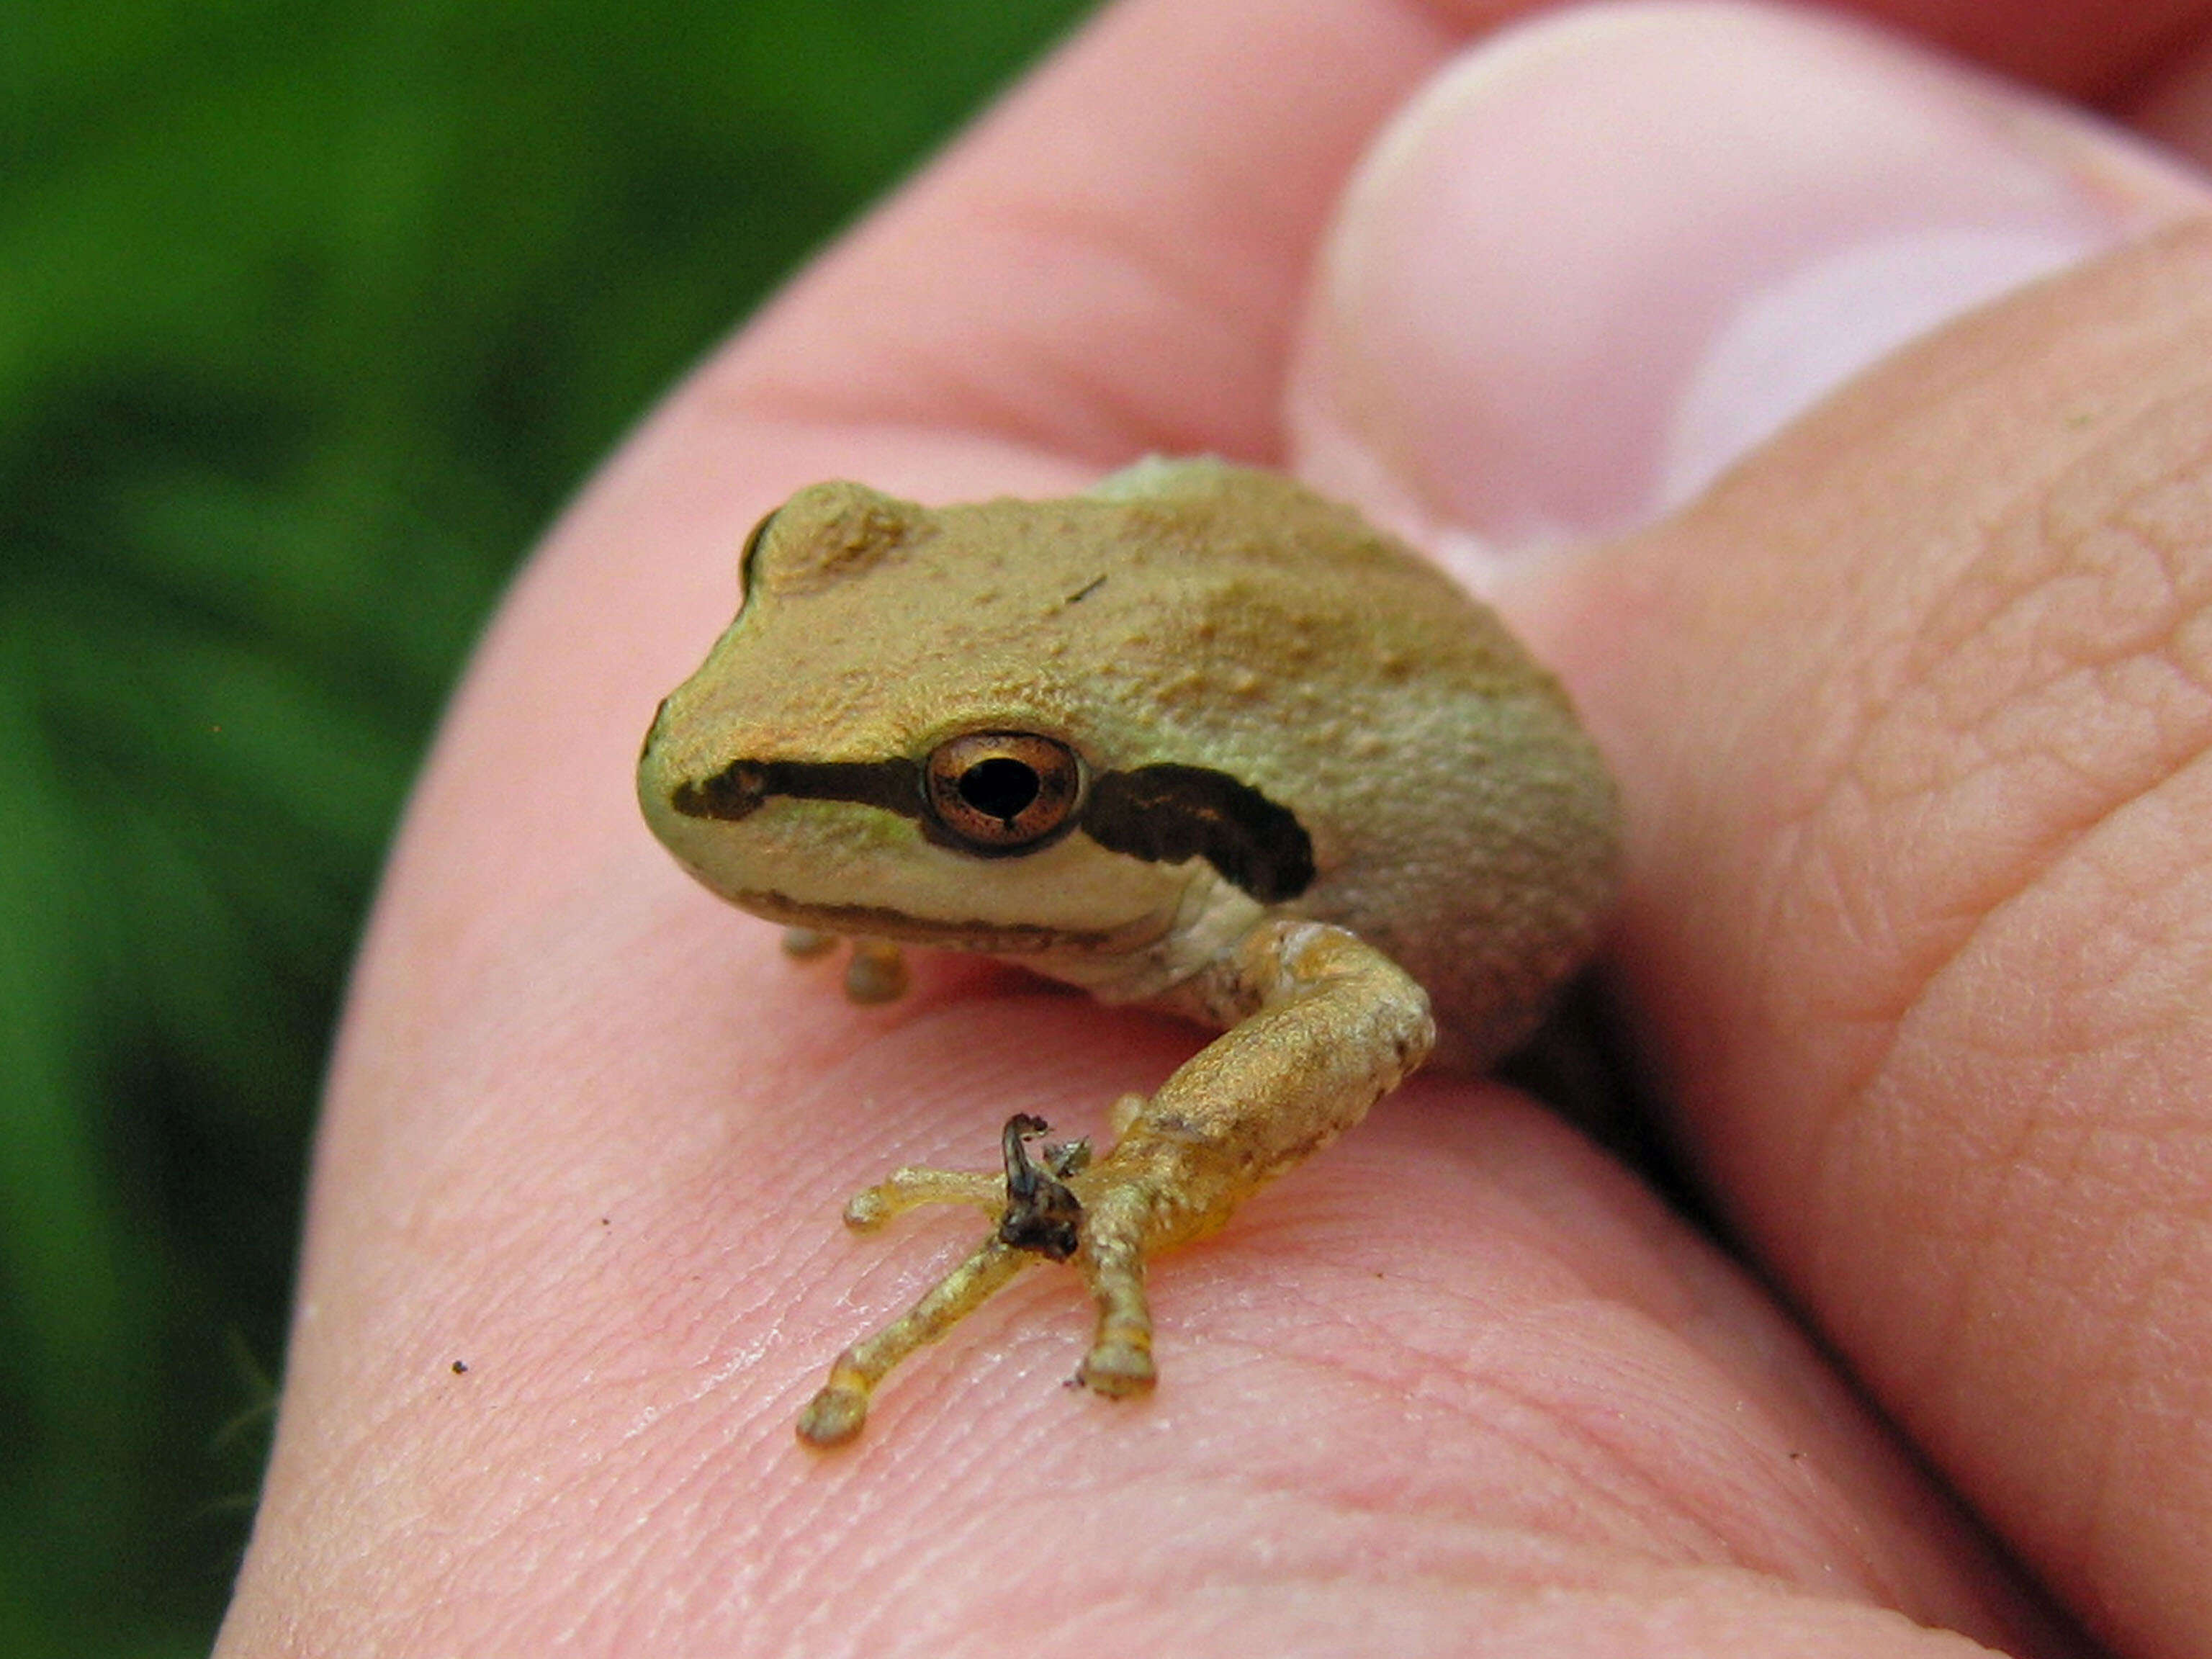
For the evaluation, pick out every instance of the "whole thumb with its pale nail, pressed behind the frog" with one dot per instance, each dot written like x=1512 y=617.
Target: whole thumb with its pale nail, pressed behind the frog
x=1908 y=713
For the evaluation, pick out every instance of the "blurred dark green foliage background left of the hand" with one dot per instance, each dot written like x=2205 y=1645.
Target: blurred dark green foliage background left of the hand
x=311 y=315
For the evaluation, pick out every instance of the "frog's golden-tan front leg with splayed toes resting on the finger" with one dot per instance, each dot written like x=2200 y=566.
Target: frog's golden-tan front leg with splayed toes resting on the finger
x=1319 y=1027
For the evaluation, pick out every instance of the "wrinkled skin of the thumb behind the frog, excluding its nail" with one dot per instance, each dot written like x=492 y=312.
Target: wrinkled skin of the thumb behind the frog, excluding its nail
x=1923 y=901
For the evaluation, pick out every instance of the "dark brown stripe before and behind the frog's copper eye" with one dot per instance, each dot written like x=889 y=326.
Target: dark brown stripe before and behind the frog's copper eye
x=1158 y=813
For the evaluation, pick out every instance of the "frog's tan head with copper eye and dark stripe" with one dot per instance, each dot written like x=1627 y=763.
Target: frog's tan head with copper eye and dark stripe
x=904 y=735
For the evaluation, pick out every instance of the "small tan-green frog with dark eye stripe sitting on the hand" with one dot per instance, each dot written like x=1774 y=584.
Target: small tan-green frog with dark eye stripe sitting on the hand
x=1196 y=740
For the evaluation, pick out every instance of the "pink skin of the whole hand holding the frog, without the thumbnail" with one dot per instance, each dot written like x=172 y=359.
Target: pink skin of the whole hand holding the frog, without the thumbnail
x=1461 y=1386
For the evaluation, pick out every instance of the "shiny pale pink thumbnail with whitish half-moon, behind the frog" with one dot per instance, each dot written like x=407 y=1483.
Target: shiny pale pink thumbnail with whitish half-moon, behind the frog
x=1616 y=249
